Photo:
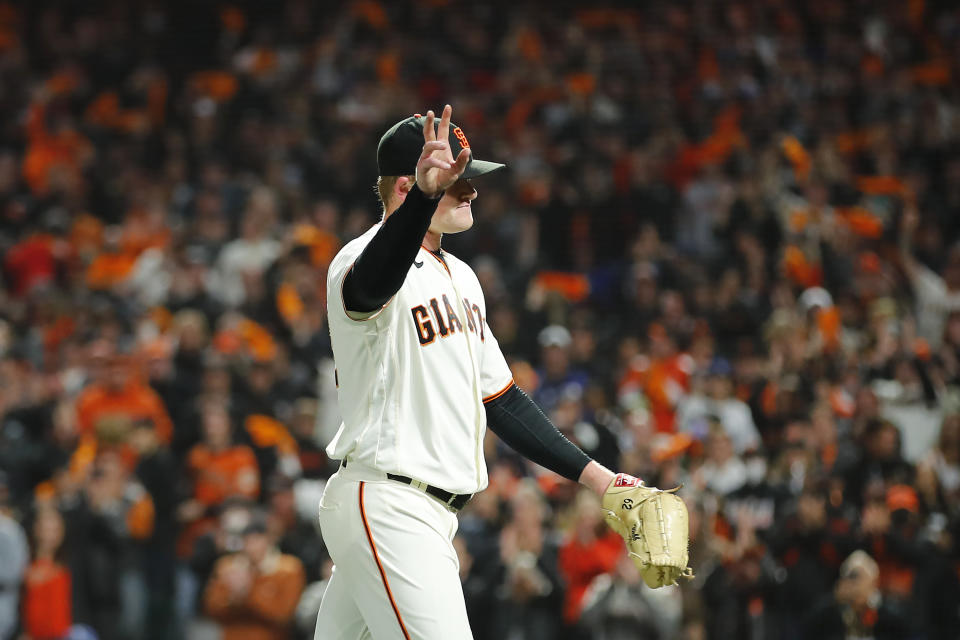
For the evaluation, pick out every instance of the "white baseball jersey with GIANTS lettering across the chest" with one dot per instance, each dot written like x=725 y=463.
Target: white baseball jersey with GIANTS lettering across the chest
x=413 y=376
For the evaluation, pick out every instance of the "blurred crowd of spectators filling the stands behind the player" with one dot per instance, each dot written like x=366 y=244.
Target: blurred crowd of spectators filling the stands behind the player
x=724 y=256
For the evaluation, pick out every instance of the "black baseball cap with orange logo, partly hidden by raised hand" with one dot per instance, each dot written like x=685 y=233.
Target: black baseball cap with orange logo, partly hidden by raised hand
x=401 y=146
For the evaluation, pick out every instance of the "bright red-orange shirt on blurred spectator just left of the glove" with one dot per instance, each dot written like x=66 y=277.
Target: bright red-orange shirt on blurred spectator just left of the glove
x=580 y=563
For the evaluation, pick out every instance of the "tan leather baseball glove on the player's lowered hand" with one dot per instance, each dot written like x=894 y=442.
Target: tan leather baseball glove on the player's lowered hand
x=653 y=522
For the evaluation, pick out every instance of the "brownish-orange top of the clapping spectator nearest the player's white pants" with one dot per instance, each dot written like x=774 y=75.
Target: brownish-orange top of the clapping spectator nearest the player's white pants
x=262 y=612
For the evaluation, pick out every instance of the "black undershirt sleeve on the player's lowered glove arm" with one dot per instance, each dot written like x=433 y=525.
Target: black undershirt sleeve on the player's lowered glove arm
x=521 y=424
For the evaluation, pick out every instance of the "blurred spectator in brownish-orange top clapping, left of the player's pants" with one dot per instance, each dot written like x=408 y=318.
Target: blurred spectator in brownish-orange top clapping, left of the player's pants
x=254 y=593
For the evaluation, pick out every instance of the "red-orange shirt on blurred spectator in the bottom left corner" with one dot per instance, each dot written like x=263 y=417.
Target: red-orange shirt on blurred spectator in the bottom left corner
x=46 y=601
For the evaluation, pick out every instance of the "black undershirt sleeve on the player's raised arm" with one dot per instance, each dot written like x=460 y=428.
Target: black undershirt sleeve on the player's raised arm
x=382 y=266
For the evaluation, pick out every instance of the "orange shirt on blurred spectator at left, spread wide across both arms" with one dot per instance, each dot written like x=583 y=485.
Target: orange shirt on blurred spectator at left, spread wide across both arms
x=135 y=400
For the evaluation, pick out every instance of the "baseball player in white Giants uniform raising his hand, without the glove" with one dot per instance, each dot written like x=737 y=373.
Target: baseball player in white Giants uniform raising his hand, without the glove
x=420 y=378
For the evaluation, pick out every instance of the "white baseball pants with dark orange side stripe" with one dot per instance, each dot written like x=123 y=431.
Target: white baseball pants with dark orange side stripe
x=396 y=573
